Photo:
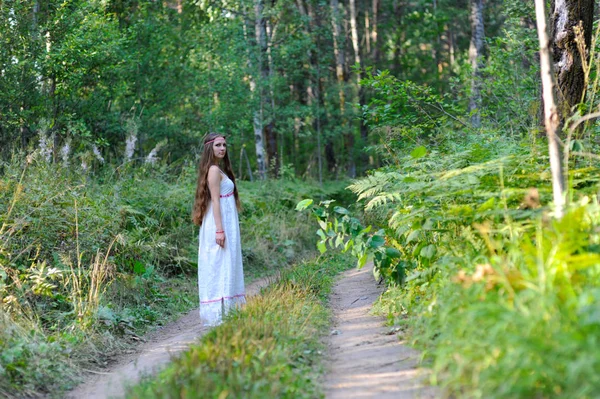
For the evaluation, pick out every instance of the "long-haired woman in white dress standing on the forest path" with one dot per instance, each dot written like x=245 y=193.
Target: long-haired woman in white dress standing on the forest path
x=220 y=273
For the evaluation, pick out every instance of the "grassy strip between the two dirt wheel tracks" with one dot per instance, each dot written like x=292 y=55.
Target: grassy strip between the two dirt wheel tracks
x=269 y=349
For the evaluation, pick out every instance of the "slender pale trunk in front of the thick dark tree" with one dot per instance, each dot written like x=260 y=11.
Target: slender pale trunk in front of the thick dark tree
x=551 y=117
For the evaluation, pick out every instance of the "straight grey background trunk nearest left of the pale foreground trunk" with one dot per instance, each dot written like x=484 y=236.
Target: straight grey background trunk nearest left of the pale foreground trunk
x=476 y=60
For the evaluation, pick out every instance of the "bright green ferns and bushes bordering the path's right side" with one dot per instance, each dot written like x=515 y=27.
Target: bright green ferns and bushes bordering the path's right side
x=502 y=297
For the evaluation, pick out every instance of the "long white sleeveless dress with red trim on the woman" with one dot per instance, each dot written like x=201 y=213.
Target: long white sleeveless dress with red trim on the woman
x=220 y=271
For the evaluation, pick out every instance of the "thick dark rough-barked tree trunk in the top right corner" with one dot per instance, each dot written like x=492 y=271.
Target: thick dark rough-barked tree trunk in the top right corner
x=566 y=15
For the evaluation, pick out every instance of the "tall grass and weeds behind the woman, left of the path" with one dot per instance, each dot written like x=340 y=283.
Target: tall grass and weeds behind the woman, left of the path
x=90 y=261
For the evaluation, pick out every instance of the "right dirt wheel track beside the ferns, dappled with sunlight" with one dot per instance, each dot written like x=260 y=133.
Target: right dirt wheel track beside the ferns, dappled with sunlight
x=364 y=359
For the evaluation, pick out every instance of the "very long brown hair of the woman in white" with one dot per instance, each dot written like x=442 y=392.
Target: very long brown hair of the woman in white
x=202 y=199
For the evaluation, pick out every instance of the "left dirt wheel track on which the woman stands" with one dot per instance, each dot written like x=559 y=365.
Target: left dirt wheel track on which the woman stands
x=158 y=350
